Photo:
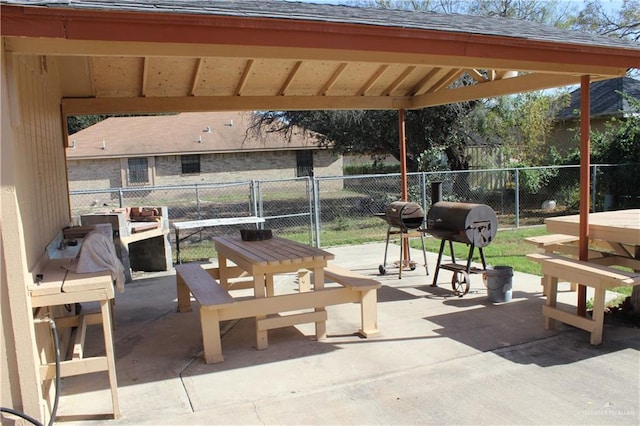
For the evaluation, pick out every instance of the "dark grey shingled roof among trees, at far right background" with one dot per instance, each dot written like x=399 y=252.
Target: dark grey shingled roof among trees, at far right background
x=607 y=99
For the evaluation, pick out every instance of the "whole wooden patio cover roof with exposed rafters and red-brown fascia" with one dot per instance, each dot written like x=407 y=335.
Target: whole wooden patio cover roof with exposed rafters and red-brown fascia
x=179 y=56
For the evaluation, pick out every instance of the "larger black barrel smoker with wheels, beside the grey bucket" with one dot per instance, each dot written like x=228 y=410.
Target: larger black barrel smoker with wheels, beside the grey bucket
x=473 y=224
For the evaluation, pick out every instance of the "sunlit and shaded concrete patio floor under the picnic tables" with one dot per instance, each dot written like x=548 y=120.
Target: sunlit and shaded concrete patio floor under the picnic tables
x=440 y=359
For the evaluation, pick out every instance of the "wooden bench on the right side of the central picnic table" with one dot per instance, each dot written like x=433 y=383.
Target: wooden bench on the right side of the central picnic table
x=366 y=288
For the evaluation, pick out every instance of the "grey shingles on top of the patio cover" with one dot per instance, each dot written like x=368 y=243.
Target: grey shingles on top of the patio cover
x=454 y=23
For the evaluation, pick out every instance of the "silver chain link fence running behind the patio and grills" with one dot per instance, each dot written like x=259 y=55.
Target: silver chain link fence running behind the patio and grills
x=337 y=210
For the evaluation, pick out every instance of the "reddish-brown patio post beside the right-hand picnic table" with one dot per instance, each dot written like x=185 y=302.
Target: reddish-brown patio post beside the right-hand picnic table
x=585 y=183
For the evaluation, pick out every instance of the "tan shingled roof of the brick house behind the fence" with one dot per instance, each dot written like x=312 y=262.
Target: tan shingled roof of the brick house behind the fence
x=179 y=134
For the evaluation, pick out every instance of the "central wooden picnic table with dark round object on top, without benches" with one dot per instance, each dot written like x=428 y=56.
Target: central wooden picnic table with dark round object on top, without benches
x=263 y=260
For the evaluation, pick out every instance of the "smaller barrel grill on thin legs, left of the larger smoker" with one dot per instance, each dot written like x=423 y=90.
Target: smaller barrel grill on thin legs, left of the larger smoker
x=404 y=218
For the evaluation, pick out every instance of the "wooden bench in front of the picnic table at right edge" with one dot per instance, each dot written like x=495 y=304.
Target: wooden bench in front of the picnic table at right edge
x=599 y=277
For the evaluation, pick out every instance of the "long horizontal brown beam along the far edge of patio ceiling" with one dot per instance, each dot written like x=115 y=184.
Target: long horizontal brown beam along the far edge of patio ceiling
x=74 y=106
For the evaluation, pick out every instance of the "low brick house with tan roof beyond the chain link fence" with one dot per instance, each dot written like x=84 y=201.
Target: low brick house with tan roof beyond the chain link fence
x=187 y=148
